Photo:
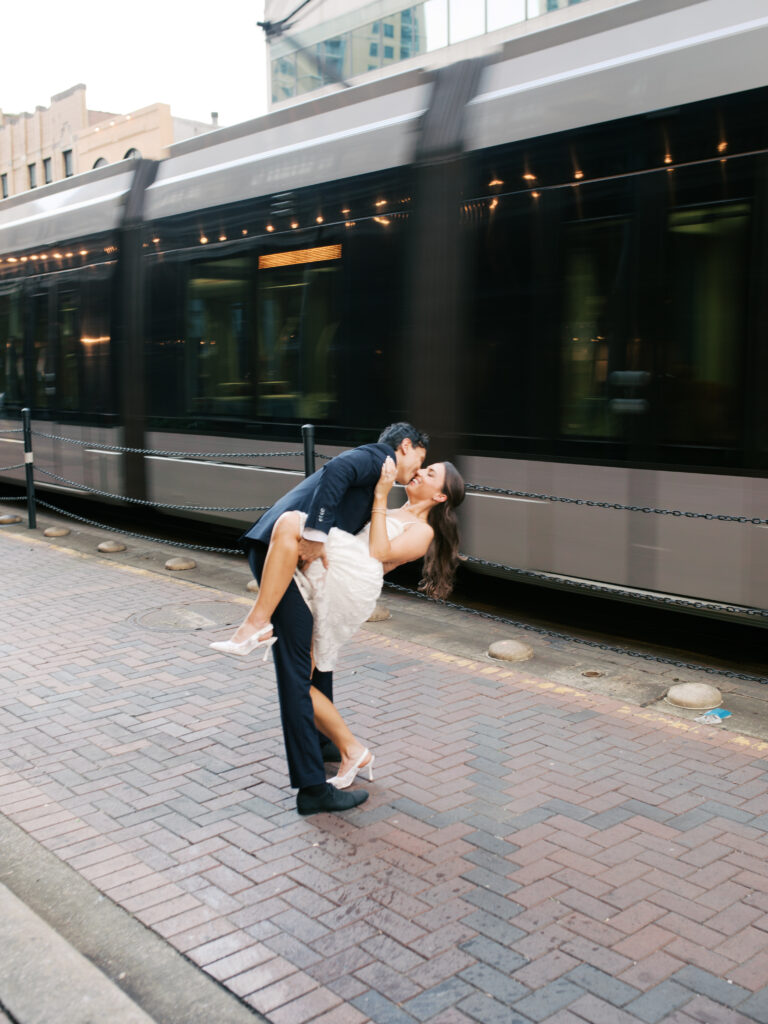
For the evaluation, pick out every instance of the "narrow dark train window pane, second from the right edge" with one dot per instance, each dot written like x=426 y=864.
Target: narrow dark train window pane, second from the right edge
x=595 y=304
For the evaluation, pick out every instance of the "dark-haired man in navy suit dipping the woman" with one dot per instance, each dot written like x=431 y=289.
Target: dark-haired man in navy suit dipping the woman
x=340 y=494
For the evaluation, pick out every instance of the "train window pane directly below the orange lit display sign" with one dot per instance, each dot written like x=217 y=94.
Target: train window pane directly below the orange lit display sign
x=300 y=314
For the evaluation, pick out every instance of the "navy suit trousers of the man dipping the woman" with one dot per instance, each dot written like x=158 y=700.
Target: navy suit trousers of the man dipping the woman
x=292 y=653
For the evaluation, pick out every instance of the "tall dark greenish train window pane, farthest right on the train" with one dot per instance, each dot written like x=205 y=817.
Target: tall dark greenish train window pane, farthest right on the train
x=705 y=326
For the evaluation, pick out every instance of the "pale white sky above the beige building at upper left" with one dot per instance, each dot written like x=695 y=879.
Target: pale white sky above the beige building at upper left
x=198 y=58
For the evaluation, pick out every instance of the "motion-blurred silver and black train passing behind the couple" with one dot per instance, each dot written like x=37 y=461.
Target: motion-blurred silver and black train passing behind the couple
x=594 y=327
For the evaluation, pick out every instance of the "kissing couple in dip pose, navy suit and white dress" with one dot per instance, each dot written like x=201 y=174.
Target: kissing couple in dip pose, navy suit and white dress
x=320 y=554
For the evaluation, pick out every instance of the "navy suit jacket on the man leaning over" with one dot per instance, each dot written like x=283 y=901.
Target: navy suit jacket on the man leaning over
x=340 y=494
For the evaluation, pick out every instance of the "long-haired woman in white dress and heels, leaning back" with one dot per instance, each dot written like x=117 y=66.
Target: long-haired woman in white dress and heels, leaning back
x=342 y=590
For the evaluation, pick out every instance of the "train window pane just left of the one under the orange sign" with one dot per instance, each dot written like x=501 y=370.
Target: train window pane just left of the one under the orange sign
x=219 y=378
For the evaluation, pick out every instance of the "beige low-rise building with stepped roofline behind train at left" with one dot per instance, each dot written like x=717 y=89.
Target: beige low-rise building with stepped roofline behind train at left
x=67 y=139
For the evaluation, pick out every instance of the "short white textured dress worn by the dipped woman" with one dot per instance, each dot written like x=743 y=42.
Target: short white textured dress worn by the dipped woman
x=343 y=596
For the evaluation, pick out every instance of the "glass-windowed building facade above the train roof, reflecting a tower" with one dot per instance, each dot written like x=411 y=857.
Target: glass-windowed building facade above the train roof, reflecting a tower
x=342 y=40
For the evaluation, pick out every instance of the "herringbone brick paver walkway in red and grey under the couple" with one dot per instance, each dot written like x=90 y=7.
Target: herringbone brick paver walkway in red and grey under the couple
x=529 y=854
